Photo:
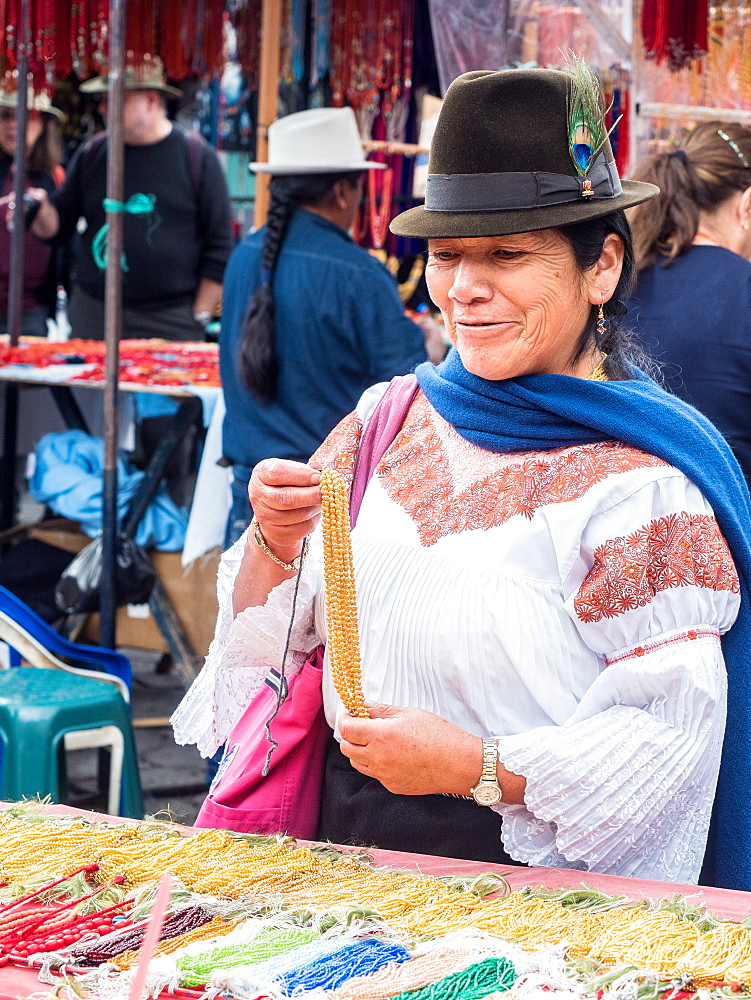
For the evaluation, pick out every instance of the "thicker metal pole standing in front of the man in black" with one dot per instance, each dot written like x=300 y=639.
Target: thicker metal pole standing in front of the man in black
x=113 y=298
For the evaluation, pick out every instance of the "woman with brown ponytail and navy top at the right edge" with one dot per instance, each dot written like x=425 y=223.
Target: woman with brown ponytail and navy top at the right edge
x=692 y=303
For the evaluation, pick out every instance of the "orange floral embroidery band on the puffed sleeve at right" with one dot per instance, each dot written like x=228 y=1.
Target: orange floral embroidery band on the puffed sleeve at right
x=679 y=550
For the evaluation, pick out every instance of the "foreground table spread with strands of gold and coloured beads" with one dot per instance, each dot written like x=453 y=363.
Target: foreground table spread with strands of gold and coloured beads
x=541 y=957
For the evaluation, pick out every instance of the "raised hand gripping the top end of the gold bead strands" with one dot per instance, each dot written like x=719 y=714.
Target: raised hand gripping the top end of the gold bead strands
x=286 y=500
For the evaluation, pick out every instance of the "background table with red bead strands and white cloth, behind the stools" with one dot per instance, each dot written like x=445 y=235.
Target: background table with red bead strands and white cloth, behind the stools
x=186 y=373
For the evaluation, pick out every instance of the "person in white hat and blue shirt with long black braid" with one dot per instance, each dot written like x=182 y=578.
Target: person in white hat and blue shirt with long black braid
x=309 y=319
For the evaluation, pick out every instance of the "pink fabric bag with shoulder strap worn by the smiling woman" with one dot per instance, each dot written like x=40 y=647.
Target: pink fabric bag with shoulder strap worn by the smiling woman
x=270 y=778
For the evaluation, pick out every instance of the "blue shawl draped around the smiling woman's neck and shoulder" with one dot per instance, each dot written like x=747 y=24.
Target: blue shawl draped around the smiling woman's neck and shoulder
x=553 y=411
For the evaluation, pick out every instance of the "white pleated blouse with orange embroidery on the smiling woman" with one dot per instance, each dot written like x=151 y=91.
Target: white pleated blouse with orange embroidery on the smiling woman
x=568 y=603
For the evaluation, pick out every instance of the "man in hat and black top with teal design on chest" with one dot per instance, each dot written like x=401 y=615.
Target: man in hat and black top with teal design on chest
x=177 y=219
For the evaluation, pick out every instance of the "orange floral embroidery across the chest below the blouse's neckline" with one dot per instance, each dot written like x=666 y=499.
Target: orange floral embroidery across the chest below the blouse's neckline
x=448 y=485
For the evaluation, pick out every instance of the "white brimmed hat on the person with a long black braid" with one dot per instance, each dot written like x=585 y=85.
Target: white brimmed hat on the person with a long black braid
x=320 y=141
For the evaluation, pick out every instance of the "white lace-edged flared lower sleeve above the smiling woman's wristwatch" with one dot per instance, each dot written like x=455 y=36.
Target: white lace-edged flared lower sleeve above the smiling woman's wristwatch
x=627 y=785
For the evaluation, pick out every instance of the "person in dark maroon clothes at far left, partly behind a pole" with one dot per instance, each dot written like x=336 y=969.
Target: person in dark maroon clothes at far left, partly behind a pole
x=43 y=164
